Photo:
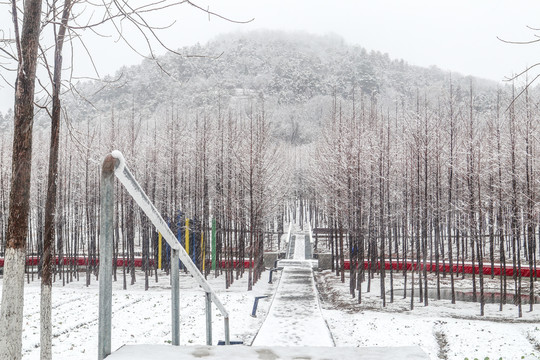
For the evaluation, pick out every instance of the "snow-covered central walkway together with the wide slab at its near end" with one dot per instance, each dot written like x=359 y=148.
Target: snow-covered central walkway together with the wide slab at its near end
x=293 y=329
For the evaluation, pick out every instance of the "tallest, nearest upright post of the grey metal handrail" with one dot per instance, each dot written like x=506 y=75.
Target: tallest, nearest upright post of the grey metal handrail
x=105 y=256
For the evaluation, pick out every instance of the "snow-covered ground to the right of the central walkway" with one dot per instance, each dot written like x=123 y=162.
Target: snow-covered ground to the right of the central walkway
x=441 y=329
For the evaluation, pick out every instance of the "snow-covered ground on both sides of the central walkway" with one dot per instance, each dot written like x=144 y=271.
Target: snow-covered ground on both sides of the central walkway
x=442 y=330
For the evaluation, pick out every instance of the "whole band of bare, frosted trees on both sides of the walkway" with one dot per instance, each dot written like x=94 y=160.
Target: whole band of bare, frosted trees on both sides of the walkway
x=442 y=175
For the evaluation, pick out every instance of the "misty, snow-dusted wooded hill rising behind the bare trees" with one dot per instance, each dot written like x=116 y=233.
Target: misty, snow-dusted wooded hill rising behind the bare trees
x=292 y=71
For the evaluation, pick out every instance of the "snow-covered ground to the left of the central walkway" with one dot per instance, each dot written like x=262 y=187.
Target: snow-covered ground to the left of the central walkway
x=140 y=316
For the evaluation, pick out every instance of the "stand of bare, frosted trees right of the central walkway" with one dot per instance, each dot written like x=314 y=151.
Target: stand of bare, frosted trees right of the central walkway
x=448 y=176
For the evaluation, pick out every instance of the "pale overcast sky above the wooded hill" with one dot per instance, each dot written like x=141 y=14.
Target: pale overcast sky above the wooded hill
x=458 y=35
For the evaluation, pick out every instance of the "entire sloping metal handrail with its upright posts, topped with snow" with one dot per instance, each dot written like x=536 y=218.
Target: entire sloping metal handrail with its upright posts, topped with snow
x=114 y=164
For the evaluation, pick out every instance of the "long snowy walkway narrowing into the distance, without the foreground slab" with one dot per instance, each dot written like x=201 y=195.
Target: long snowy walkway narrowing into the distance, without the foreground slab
x=295 y=317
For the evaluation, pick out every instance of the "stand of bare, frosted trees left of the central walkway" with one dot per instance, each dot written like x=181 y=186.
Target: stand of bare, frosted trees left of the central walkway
x=218 y=165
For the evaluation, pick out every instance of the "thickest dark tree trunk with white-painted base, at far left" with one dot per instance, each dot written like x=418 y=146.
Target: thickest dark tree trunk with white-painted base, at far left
x=11 y=314
